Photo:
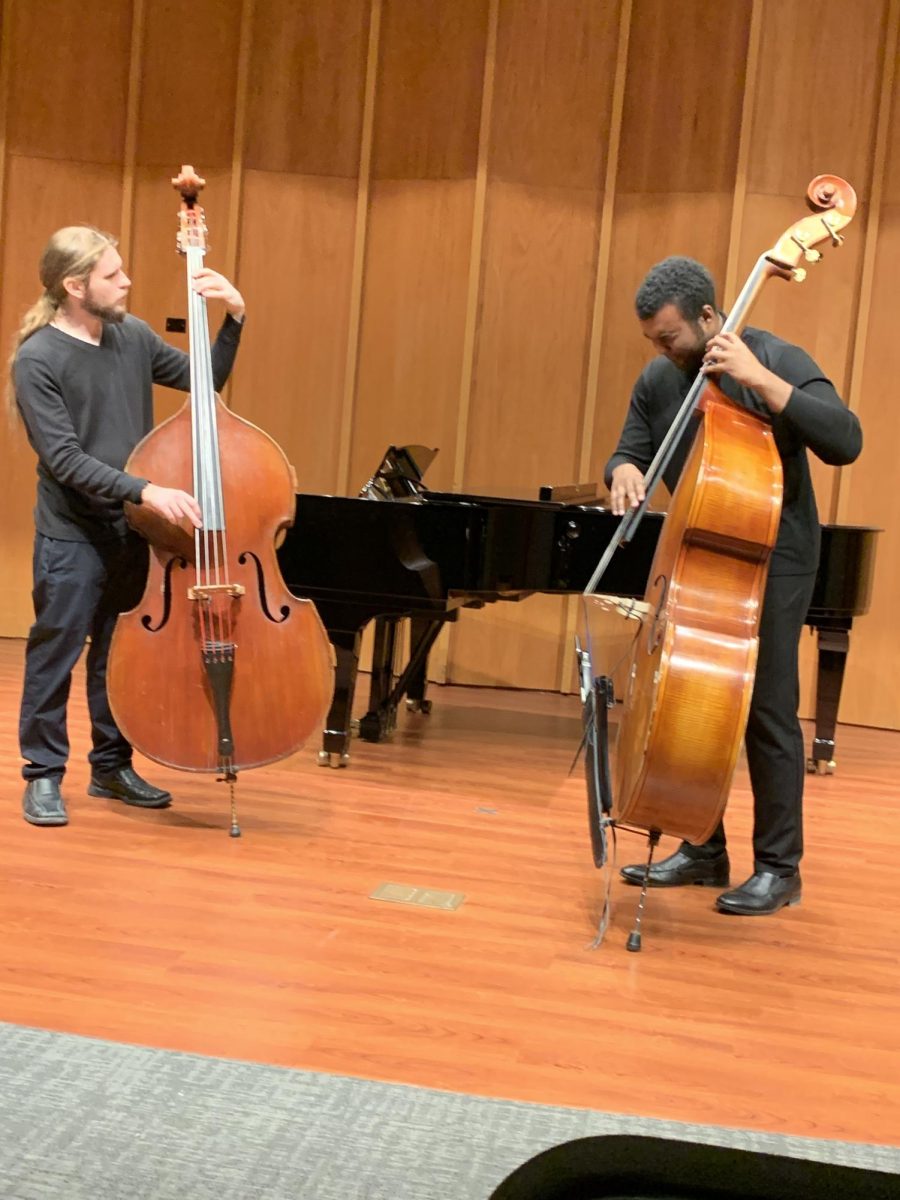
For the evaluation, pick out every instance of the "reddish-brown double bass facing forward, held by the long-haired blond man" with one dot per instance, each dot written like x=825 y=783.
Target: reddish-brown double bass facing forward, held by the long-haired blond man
x=219 y=668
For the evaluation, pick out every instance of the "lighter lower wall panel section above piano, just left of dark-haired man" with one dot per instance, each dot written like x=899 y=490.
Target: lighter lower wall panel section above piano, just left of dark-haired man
x=536 y=313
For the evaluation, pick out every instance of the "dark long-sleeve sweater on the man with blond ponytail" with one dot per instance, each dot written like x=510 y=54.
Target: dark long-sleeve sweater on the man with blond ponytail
x=86 y=409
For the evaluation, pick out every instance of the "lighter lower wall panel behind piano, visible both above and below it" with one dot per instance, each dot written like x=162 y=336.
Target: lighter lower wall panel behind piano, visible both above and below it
x=527 y=399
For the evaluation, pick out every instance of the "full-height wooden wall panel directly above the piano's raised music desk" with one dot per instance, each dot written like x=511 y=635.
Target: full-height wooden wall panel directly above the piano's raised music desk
x=424 y=154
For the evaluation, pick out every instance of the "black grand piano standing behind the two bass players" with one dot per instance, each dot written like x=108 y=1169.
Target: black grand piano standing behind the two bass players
x=401 y=551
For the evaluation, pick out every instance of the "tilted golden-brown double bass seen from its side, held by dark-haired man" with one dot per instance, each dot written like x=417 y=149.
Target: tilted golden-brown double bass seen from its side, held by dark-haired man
x=692 y=675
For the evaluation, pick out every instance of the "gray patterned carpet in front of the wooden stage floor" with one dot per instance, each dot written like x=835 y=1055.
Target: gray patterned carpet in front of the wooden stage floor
x=86 y=1119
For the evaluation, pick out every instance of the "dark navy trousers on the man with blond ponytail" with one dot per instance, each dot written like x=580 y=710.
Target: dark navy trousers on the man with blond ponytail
x=80 y=589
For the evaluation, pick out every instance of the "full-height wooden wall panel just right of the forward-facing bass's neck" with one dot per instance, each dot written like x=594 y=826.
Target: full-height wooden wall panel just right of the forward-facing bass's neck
x=304 y=130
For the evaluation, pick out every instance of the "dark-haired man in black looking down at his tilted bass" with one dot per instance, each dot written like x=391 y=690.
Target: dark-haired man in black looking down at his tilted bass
x=676 y=308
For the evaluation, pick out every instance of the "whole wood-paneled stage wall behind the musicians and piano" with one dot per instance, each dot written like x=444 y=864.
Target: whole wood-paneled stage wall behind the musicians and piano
x=440 y=211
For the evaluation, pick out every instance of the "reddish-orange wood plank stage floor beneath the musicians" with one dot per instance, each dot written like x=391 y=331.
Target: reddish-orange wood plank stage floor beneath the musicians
x=157 y=928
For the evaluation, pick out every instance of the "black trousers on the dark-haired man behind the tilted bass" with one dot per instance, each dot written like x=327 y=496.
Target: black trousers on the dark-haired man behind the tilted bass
x=775 y=742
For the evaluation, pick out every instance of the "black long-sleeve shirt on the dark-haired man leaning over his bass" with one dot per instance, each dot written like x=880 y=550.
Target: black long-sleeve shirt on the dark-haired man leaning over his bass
x=815 y=418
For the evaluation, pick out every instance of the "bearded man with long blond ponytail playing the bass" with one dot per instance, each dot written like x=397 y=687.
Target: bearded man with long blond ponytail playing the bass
x=82 y=376
